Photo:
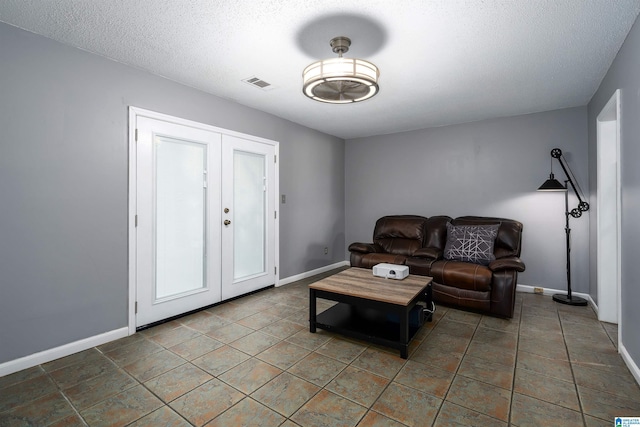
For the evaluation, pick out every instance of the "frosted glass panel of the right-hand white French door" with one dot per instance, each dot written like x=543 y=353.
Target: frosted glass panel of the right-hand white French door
x=249 y=199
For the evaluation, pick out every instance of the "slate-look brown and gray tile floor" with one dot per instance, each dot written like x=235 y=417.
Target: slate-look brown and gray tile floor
x=252 y=361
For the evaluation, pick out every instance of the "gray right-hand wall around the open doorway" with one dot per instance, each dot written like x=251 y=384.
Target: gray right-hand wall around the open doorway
x=624 y=74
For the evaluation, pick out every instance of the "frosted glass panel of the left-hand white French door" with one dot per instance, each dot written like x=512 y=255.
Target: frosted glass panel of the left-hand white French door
x=180 y=217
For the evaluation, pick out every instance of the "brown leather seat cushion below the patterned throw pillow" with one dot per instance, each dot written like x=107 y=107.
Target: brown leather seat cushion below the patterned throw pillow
x=462 y=275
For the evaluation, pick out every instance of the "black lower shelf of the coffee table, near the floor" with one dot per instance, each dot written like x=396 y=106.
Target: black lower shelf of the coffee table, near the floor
x=366 y=324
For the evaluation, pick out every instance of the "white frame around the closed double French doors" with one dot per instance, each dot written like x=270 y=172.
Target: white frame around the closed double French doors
x=134 y=113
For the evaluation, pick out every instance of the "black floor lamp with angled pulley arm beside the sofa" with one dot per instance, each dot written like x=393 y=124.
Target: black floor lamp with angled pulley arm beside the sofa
x=553 y=184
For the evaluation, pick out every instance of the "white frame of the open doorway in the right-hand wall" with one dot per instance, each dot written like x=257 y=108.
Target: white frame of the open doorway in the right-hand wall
x=608 y=147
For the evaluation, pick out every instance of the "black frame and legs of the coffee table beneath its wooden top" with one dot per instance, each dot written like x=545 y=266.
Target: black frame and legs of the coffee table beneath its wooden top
x=367 y=319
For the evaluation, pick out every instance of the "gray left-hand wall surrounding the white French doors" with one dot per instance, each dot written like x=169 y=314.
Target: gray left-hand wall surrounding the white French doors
x=63 y=186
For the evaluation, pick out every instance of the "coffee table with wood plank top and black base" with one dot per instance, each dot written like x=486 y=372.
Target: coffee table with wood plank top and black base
x=370 y=308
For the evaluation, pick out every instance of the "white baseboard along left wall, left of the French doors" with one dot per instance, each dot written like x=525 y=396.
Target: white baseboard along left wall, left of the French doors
x=64 y=350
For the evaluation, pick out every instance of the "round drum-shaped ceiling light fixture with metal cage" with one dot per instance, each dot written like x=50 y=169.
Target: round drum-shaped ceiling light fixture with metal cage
x=340 y=80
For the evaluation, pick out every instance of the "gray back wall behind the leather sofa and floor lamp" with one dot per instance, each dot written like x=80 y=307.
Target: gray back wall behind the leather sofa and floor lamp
x=489 y=168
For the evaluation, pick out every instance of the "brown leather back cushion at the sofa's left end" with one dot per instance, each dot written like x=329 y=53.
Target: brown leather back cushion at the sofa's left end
x=400 y=234
